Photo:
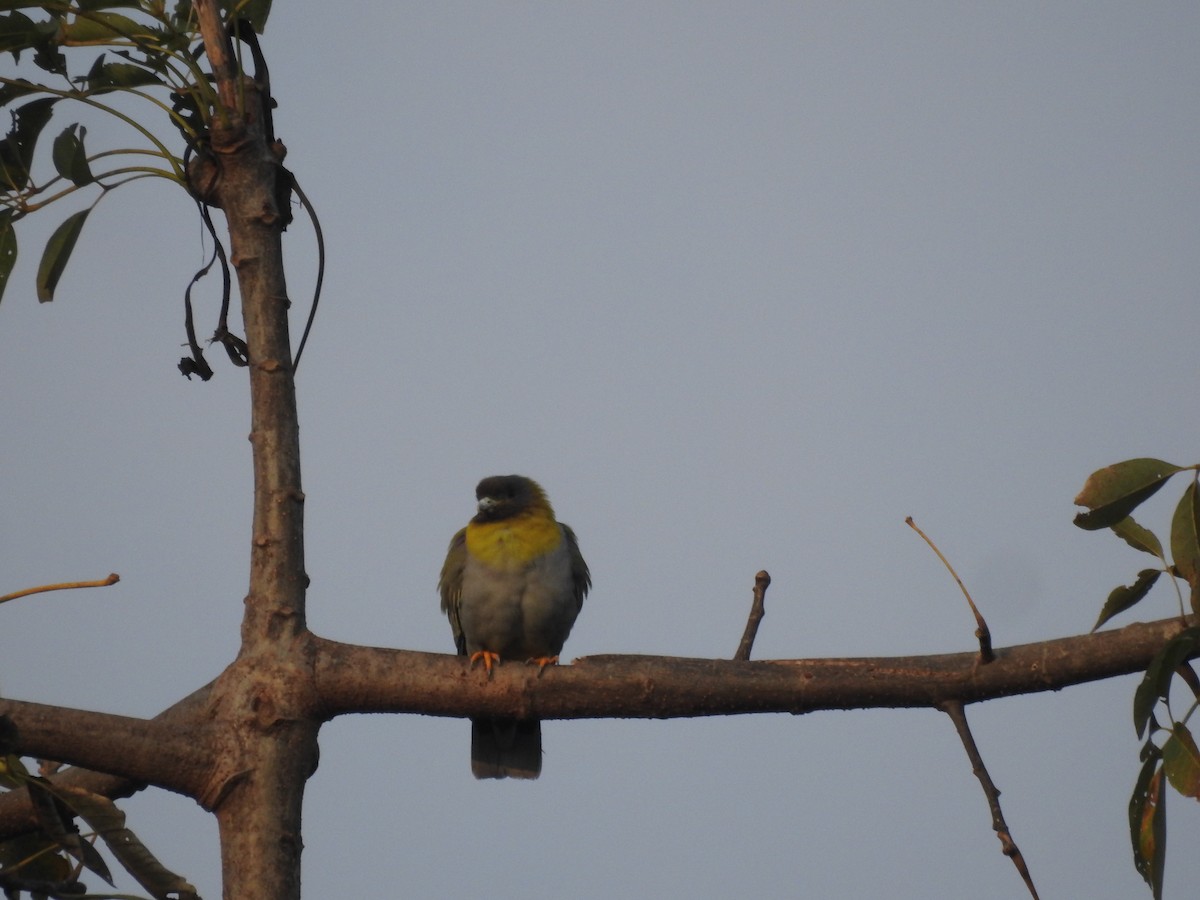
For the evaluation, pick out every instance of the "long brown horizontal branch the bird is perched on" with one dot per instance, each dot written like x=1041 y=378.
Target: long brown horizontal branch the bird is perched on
x=362 y=680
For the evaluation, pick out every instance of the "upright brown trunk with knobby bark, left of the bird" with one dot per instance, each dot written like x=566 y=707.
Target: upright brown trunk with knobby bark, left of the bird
x=263 y=700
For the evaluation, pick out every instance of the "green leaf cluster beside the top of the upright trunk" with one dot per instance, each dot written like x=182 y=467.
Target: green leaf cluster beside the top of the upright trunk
x=149 y=51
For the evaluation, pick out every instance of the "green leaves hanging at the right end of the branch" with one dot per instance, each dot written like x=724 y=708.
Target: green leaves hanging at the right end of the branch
x=1111 y=496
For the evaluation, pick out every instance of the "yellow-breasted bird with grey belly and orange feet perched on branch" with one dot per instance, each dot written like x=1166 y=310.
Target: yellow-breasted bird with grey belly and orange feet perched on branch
x=513 y=585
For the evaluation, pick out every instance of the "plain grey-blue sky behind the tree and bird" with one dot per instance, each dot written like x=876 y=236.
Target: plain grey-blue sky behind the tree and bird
x=743 y=286
